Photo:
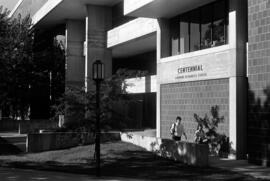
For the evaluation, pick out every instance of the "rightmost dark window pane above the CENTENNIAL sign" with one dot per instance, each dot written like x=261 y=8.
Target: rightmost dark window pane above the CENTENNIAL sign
x=219 y=24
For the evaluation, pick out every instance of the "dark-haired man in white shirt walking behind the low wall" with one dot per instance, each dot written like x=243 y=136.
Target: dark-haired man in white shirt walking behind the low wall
x=177 y=129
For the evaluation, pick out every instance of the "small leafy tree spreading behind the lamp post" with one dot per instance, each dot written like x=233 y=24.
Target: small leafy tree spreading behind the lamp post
x=79 y=106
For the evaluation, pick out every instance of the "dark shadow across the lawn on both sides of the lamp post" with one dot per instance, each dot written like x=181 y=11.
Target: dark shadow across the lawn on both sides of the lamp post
x=138 y=165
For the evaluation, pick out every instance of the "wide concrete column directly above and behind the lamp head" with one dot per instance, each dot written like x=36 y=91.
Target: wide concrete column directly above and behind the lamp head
x=98 y=22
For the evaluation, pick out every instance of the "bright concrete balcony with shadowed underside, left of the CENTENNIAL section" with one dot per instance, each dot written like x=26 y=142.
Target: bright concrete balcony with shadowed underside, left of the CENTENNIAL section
x=135 y=37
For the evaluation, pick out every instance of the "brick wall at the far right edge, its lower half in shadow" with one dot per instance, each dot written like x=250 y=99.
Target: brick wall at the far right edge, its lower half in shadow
x=259 y=81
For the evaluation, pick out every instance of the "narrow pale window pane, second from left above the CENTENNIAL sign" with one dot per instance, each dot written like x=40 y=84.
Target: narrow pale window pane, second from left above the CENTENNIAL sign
x=184 y=34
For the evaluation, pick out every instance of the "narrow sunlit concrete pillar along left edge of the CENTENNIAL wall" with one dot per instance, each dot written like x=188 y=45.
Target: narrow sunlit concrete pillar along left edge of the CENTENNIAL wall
x=163 y=50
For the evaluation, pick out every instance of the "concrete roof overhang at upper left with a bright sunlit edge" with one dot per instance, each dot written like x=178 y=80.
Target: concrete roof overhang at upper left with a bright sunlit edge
x=56 y=12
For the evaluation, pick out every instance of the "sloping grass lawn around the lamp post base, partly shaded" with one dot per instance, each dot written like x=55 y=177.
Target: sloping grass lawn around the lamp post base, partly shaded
x=118 y=160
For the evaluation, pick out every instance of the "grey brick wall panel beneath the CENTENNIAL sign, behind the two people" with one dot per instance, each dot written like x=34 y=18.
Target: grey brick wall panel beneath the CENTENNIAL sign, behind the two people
x=185 y=99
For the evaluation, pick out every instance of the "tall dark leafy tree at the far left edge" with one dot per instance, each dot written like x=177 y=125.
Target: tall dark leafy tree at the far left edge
x=16 y=60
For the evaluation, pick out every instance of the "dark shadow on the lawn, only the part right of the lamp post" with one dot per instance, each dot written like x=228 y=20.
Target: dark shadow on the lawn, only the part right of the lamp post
x=144 y=165
